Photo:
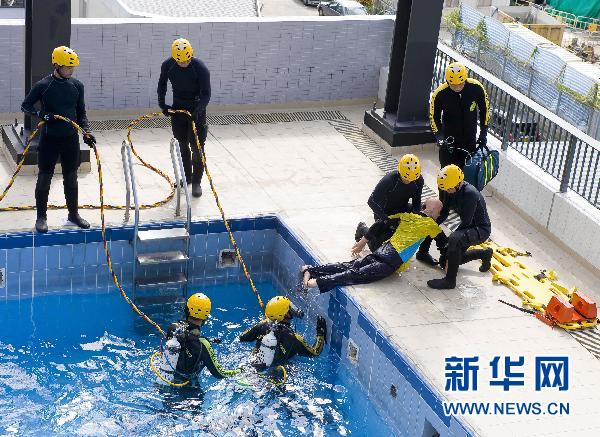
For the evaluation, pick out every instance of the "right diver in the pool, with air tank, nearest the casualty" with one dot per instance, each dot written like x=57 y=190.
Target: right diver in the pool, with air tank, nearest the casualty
x=276 y=341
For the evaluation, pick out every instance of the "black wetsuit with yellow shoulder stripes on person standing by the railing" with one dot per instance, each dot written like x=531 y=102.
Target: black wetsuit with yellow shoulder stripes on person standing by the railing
x=455 y=114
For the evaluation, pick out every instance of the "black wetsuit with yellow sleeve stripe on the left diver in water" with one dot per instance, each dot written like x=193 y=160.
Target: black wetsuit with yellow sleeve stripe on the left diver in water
x=196 y=353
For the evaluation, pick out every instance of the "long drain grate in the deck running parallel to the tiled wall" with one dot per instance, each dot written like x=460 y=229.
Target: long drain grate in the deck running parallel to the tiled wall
x=225 y=120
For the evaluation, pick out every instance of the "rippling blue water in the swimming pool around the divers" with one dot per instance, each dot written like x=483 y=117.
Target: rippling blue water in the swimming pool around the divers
x=78 y=365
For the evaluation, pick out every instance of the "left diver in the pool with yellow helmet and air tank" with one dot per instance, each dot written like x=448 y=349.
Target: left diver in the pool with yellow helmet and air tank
x=186 y=352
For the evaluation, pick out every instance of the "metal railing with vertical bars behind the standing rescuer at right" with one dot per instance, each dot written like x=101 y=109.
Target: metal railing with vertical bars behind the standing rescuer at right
x=554 y=145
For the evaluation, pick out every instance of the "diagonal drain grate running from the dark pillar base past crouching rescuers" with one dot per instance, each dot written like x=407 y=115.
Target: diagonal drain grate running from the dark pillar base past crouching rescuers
x=381 y=158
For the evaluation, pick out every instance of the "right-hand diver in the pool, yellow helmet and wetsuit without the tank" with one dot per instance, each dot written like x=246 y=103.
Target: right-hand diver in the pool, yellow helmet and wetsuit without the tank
x=279 y=312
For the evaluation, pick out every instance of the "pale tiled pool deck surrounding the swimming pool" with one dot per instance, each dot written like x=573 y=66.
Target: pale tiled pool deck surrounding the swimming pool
x=319 y=183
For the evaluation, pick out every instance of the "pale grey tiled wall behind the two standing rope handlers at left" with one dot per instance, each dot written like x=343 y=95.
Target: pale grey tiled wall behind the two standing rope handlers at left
x=252 y=61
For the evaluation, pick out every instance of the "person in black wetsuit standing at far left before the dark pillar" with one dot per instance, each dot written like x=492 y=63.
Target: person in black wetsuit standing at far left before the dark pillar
x=59 y=94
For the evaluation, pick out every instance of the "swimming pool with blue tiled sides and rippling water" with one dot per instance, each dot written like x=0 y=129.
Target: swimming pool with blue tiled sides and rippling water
x=74 y=357
